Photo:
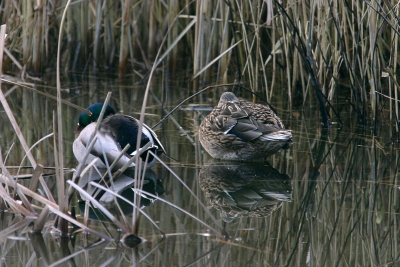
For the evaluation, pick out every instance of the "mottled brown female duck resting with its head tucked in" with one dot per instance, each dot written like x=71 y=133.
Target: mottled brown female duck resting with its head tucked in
x=241 y=130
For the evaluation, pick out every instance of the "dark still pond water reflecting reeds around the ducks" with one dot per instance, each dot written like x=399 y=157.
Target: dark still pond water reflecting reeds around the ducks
x=331 y=200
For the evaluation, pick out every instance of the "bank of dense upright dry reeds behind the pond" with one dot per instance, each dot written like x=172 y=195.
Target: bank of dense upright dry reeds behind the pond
x=322 y=51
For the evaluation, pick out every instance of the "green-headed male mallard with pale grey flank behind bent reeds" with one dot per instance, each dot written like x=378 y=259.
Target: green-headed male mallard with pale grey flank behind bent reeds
x=115 y=132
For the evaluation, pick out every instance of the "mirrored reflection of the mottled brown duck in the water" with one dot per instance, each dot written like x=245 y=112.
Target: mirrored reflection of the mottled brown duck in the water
x=244 y=189
